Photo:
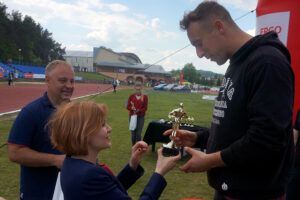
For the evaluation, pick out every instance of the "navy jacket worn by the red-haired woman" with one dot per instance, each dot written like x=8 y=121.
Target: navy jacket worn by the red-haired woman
x=82 y=180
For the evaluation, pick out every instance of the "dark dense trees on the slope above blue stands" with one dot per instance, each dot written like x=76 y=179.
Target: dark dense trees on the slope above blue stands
x=24 y=40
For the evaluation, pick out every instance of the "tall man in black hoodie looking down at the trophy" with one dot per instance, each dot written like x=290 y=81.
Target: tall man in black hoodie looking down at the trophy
x=250 y=145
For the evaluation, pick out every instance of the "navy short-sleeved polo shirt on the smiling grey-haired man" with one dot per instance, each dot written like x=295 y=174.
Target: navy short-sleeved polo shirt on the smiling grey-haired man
x=37 y=183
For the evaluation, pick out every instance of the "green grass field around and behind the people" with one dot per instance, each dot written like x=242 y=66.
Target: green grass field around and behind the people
x=180 y=185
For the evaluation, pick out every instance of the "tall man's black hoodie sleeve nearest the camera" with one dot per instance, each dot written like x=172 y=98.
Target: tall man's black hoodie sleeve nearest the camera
x=270 y=87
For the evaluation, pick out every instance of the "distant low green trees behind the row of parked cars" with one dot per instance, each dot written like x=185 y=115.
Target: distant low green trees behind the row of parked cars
x=198 y=76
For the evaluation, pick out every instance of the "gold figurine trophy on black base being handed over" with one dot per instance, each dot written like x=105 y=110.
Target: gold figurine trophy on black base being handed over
x=170 y=149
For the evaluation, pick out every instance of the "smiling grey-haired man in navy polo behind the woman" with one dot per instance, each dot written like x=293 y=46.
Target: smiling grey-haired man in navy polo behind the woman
x=29 y=143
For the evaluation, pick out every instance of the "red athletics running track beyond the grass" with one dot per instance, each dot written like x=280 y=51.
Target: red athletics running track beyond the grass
x=16 y=97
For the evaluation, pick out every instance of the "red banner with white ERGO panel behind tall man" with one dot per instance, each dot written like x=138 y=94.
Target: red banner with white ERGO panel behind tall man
x=283 y=17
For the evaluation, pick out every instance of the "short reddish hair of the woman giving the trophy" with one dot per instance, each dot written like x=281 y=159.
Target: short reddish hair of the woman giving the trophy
x=73 y=122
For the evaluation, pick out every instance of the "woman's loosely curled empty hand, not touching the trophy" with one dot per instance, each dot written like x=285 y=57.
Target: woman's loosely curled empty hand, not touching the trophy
x=137 y=154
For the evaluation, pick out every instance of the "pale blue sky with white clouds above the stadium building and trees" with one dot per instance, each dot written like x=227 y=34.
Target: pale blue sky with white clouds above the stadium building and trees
x=148 y=28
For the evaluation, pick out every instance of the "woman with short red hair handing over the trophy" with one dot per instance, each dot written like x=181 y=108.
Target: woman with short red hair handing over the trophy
x=79 y=130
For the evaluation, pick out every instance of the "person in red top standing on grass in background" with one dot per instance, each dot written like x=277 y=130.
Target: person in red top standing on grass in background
x=137 y=105
